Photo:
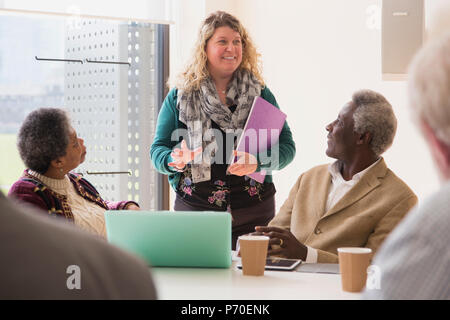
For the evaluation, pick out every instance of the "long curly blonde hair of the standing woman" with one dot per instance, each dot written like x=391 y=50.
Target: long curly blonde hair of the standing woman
x=196 y=70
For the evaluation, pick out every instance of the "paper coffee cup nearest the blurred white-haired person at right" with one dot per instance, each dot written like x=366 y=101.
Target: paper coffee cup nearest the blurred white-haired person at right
x=353 y=264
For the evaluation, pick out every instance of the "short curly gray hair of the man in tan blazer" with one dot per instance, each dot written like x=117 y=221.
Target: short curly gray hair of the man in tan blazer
x=374 y=114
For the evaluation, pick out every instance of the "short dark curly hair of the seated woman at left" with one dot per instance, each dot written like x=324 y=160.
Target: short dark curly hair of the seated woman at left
x=43 y=137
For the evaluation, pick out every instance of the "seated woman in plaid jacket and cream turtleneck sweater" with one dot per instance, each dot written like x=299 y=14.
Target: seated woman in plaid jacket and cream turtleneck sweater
x=50 y=148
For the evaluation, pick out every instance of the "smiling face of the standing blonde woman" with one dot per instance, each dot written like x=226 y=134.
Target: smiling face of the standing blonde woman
x=224 y=52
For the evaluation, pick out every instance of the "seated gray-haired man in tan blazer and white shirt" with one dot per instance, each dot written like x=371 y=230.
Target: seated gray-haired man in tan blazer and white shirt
x=355 y=201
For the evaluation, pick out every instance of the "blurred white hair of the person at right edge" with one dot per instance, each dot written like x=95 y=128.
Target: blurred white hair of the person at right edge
x=429 y=86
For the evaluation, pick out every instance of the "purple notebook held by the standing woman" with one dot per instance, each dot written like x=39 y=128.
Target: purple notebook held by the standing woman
x=261 y=131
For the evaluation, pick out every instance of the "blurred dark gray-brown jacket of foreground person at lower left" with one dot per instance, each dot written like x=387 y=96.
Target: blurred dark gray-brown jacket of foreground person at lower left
x=46 y=259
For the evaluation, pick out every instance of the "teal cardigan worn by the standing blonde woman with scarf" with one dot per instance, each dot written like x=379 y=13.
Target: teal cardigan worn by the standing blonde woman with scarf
x=168 y=123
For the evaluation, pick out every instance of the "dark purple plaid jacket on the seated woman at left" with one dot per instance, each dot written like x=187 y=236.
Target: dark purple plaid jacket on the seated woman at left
x=31 y=190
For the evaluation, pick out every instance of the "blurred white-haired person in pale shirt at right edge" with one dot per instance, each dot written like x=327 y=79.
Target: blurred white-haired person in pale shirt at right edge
x=414 y=262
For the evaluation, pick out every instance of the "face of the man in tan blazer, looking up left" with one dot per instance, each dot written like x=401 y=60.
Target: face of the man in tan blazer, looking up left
x=342 y=139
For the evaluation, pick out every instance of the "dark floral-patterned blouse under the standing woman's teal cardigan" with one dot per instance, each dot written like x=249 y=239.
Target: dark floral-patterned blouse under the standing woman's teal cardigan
x=224 y=192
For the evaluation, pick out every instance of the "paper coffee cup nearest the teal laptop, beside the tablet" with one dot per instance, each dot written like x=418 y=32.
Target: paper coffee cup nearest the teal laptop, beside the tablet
x=253 y=254
